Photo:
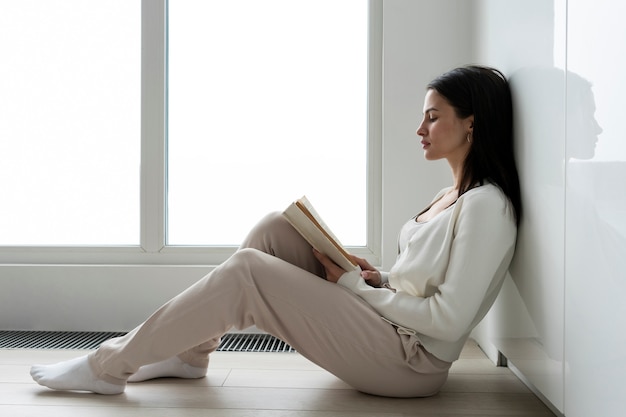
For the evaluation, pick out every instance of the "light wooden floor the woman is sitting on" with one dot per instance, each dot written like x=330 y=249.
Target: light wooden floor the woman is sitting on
x=265 y=385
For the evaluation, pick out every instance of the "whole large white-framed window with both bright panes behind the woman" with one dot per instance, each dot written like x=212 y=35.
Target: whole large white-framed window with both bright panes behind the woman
x=106 y=160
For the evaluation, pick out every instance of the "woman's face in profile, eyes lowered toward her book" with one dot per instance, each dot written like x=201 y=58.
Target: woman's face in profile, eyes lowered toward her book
x=444 y=134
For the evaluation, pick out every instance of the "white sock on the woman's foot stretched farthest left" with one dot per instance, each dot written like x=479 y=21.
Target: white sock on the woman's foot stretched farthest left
x=73 y=375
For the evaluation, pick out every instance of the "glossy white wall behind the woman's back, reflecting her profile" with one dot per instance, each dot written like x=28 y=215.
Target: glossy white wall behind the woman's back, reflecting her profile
x=561 y=319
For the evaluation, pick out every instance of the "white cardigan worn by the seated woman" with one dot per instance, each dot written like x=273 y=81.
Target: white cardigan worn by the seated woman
x=450 y=272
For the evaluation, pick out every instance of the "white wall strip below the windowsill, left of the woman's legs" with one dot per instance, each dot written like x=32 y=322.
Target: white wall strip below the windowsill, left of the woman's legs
x=87 y=297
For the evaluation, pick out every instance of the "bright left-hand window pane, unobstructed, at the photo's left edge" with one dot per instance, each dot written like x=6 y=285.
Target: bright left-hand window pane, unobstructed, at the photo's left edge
x=70 y=122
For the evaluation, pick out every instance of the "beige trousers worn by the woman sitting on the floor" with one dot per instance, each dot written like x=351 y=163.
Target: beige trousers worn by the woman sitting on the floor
x=274 y=282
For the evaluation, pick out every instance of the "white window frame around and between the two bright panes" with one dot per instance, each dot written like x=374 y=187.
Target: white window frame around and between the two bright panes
x=153 y=213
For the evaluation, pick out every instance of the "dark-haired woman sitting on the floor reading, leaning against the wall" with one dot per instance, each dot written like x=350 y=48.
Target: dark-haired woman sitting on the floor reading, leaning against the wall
x=391 y=334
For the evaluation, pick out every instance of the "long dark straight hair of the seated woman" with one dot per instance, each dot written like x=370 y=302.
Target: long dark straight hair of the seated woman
x=484 y=92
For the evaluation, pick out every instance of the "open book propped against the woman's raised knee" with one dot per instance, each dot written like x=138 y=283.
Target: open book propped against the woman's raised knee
x=309 y=224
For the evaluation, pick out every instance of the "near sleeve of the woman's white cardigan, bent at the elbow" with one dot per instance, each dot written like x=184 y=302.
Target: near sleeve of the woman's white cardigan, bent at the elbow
x=479 y=246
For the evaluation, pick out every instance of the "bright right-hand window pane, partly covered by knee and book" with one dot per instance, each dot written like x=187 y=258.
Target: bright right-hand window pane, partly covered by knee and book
x=267 y=102
